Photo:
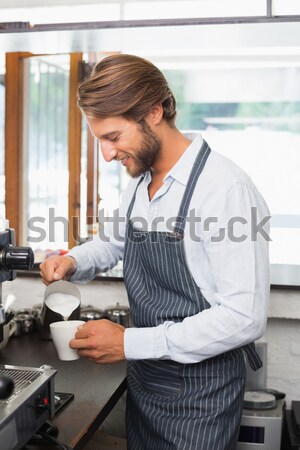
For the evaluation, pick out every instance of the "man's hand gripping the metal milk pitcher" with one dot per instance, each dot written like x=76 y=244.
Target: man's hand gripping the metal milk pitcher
x=57 y=268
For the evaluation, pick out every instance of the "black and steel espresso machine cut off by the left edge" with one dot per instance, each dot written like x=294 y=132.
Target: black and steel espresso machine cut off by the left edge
x=26 y=393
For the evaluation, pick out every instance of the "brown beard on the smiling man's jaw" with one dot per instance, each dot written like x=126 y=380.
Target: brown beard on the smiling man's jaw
x=148 y=153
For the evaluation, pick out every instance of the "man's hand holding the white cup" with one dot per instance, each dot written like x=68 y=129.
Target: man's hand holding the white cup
x=102 y=341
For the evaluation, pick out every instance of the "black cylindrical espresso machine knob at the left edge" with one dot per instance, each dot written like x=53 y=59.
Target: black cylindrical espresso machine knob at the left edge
x=14 y=258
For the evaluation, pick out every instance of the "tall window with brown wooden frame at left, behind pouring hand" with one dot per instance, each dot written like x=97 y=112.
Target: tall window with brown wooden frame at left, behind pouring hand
x=43 y=142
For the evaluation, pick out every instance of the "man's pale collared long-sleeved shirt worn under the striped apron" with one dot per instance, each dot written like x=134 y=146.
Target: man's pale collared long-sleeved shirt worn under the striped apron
x=226 y=244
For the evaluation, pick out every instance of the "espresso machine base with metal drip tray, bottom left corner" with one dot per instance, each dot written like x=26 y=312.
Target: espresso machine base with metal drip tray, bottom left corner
x=29 y=406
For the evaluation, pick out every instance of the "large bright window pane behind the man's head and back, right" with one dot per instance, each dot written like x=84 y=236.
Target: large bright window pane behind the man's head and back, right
x=255 y=121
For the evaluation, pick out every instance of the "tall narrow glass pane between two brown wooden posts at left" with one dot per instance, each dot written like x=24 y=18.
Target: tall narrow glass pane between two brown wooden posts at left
x=46 y=125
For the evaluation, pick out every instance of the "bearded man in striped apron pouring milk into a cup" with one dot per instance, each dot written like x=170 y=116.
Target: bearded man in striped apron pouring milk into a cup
x=195 y=270
